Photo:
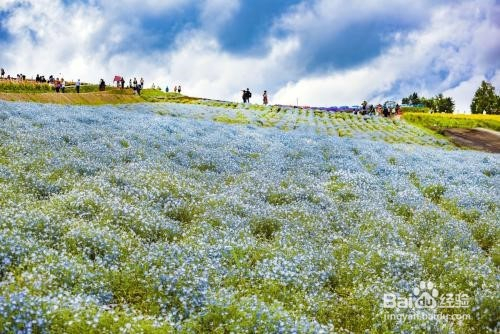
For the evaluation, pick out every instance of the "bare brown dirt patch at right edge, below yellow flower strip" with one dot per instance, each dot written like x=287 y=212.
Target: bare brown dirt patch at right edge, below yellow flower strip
x=478 y=139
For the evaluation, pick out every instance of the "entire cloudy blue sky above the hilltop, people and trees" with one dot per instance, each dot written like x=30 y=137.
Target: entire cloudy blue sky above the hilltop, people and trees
x=310 y=52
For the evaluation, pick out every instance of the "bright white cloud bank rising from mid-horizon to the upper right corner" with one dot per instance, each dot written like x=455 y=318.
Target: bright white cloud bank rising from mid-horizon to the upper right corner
x=452 y=43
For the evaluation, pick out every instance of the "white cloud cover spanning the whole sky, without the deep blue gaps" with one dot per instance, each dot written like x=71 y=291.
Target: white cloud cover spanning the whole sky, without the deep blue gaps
x=87 y=41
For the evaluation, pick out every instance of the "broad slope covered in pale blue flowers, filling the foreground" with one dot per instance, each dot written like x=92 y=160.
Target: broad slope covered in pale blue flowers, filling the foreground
x=160 y=218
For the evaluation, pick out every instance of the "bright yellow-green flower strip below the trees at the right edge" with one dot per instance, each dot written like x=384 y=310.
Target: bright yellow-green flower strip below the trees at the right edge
x=442 y=121
